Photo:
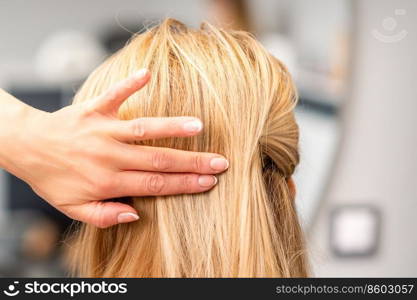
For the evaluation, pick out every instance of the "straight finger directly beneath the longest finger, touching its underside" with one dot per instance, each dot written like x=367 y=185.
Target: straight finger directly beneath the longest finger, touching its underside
x=130 y=183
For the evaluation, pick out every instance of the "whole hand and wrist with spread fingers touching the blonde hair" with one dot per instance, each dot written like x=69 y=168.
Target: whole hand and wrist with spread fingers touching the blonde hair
x=78 y=156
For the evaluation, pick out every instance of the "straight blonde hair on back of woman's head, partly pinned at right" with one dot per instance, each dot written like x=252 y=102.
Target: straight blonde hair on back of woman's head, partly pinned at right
x=247 y=224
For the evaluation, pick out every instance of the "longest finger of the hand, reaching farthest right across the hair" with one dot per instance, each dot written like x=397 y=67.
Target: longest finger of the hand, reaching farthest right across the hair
x=146 y=158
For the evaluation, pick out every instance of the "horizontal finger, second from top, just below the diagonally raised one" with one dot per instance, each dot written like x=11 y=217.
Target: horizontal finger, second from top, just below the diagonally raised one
x=154 y=128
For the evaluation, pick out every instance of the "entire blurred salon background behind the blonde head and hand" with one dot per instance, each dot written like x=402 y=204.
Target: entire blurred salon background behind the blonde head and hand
x=355 y=66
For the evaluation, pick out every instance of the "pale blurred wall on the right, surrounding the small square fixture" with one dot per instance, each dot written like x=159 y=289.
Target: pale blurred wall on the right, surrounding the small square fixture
x=377 y=163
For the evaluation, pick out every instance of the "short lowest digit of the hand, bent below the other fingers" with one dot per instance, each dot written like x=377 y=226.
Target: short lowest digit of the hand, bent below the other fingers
x=106 y=214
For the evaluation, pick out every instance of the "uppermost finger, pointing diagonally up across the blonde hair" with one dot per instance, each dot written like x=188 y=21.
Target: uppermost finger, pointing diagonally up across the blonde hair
x=111 y=100
